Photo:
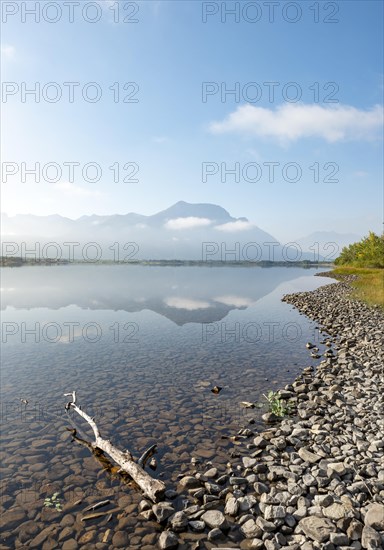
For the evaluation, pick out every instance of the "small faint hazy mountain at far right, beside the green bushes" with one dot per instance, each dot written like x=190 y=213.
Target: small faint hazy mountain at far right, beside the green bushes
x=327 y=244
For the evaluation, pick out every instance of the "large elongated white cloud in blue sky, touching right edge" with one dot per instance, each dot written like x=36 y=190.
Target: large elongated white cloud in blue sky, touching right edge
x=290 y=122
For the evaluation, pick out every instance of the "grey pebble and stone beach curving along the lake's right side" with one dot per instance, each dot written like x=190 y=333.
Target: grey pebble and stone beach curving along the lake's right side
x=315 y=479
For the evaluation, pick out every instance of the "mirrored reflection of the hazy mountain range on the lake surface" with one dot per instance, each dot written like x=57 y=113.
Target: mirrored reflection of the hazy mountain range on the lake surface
x=181 y=294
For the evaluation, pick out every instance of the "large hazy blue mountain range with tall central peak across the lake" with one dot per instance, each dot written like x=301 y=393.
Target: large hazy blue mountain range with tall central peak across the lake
x=183 y=231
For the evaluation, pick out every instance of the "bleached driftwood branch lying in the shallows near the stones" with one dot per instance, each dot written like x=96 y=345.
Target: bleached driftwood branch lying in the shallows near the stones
x=152 y=488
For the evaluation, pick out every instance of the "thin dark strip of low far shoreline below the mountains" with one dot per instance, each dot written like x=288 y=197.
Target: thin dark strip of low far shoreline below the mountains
x=20 y=262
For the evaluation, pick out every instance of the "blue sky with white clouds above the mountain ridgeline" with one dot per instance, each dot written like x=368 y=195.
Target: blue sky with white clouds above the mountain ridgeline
x=172 y=135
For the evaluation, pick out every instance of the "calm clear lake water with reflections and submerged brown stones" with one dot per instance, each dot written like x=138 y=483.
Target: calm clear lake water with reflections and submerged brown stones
x=143 y=346
